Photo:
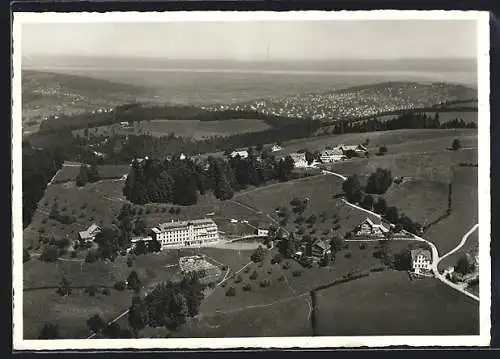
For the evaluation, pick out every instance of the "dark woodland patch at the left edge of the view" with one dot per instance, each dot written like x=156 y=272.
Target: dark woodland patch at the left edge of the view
x=39 y=166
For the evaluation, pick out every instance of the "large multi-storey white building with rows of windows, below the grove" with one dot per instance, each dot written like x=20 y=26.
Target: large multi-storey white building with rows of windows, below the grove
x=197 y=233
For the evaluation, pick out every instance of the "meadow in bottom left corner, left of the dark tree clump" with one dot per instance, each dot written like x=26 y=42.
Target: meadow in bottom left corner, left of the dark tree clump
x=42 y=304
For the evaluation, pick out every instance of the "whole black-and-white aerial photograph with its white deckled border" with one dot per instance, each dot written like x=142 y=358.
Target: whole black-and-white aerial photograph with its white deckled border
x=226 y=180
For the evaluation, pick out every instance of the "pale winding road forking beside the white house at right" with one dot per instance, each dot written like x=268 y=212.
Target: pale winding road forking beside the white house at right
x=435 y=254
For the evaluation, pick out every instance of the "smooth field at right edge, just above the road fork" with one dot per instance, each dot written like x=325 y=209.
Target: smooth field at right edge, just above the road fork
x=447 y=233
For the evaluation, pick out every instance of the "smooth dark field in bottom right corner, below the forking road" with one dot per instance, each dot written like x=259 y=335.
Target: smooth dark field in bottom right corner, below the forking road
x=388 y=303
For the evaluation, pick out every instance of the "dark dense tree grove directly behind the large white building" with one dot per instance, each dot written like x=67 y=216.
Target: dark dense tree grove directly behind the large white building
x=181 y=181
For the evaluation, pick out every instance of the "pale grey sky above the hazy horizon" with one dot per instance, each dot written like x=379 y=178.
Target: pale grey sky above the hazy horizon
x=256 y=41
